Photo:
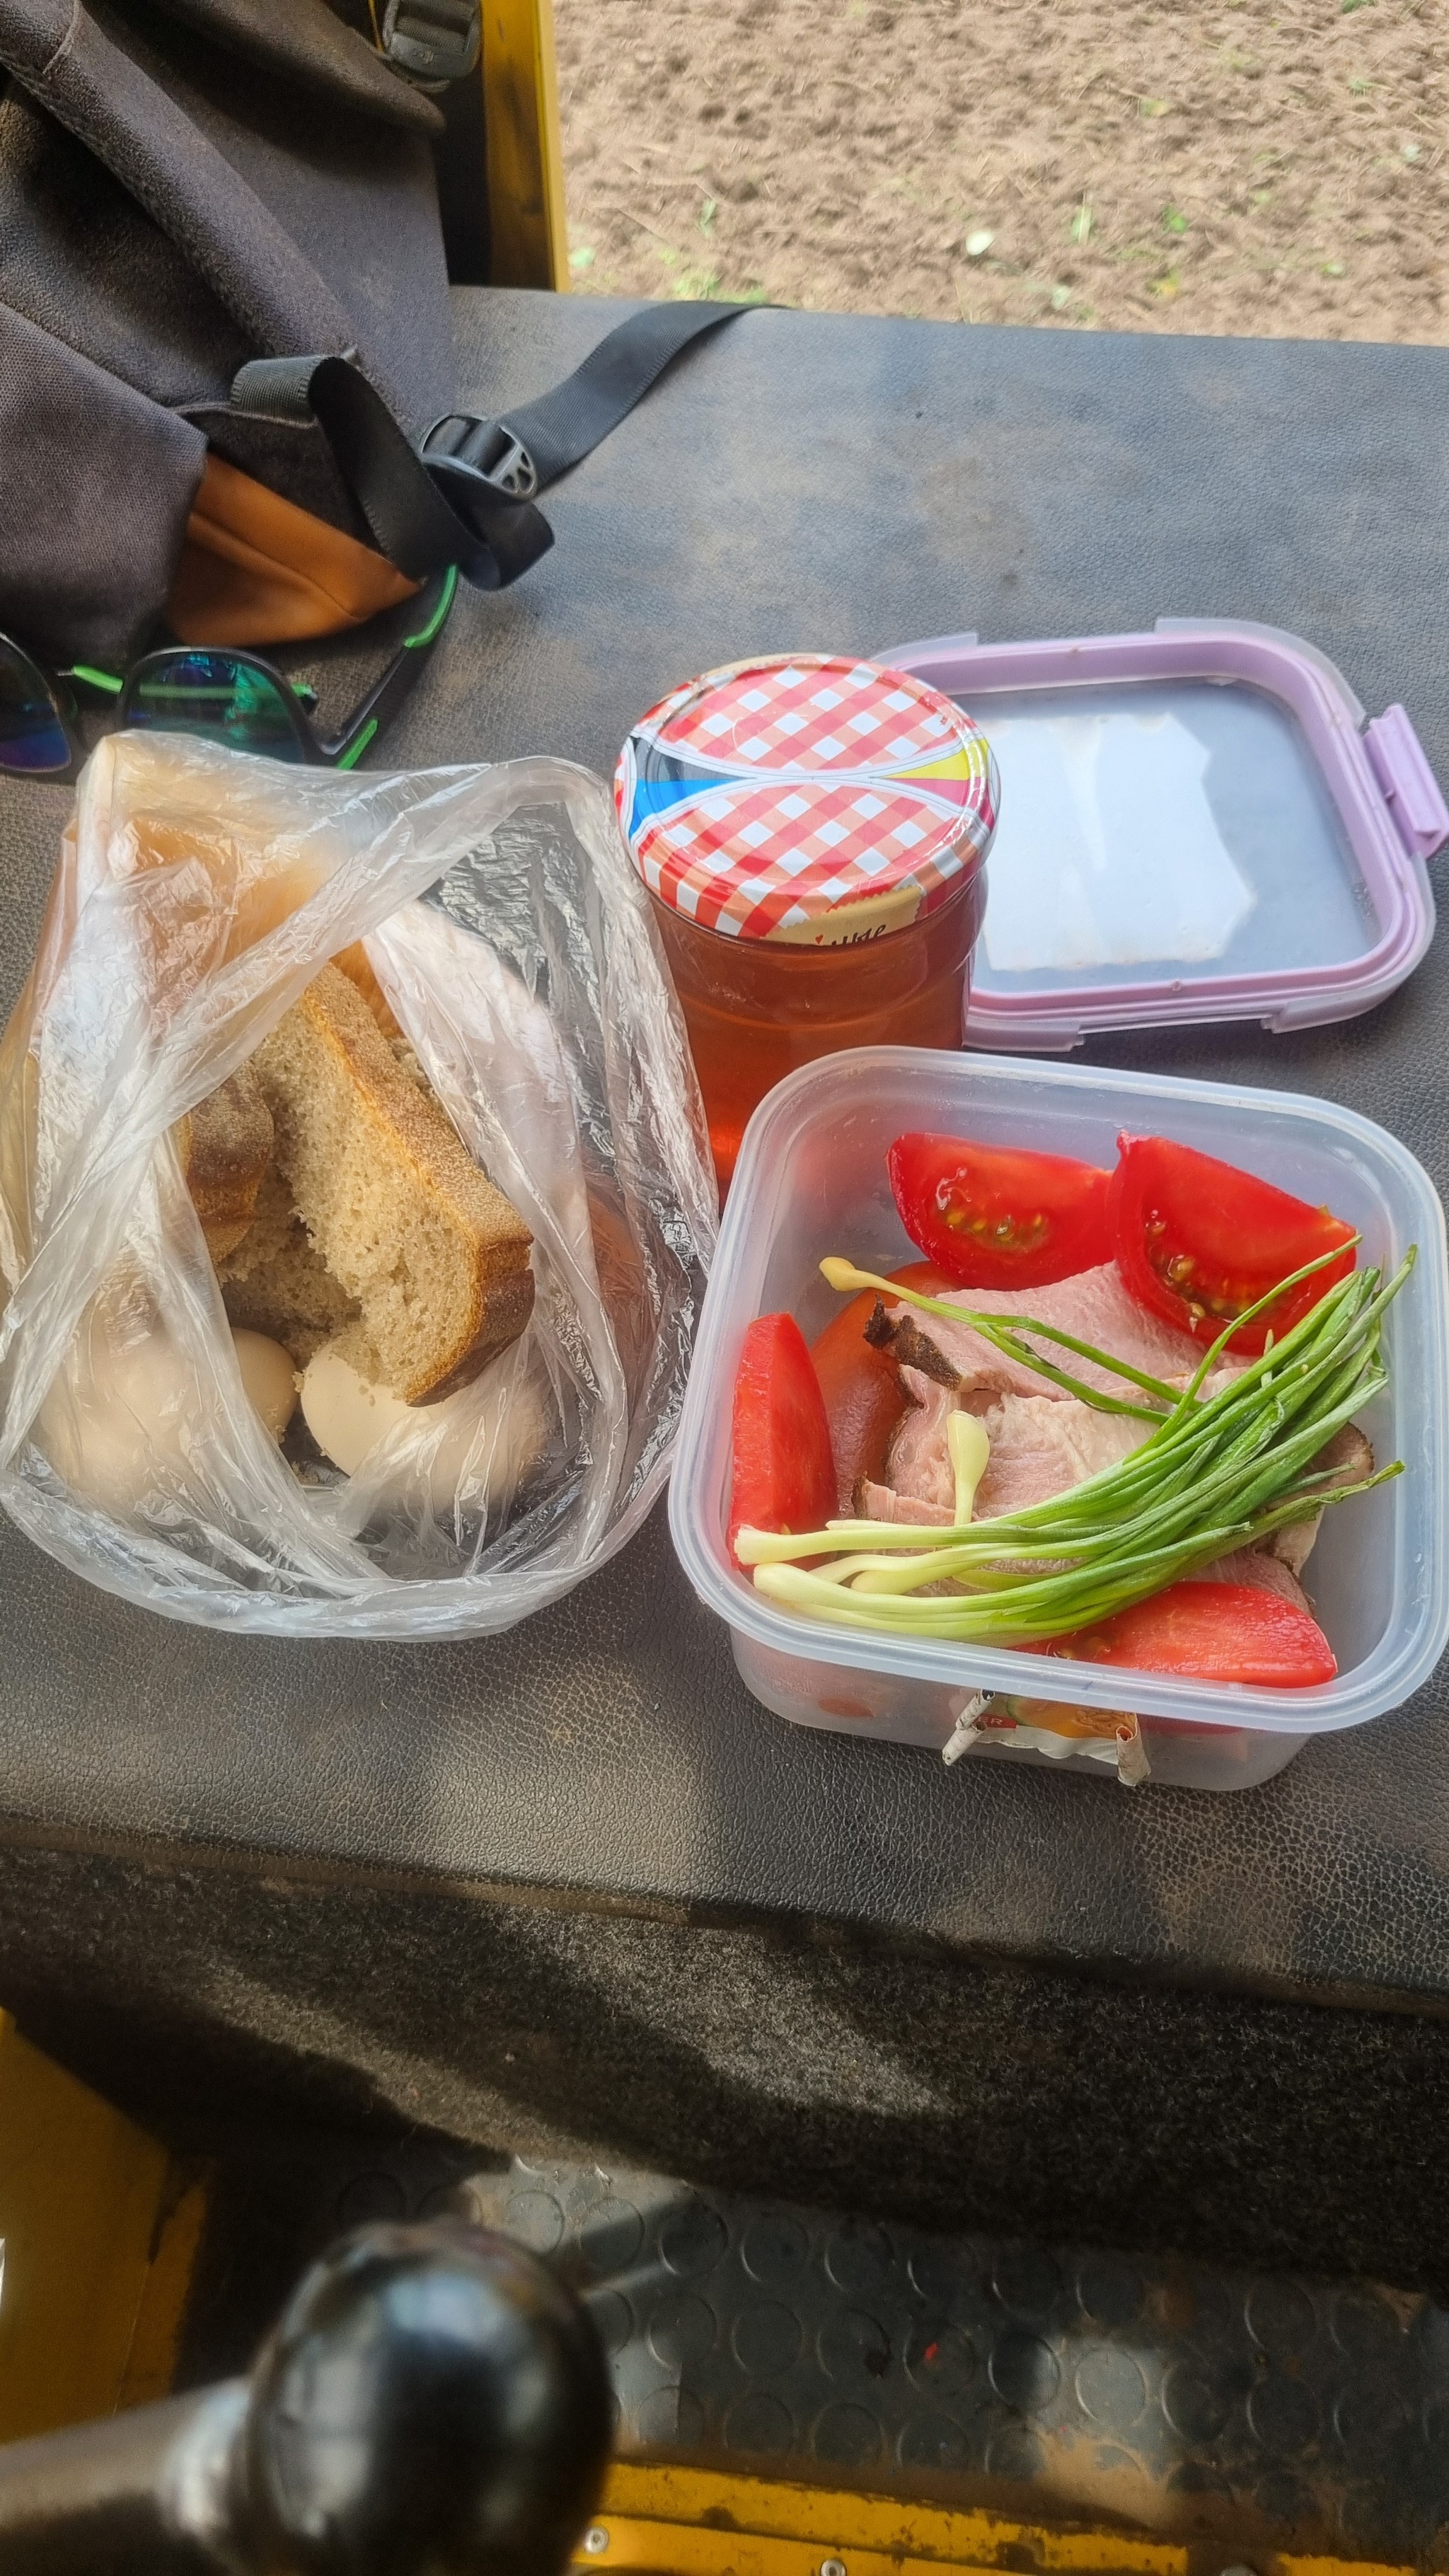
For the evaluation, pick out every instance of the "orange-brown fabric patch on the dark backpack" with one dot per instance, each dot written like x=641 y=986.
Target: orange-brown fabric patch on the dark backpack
x=259 y=571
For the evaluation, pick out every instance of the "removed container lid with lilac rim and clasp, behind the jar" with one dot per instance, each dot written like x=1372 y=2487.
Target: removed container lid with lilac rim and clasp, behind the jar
x=1195 y=826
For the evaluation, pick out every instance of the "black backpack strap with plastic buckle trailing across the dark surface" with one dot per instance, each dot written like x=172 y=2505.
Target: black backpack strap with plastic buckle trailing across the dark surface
x=465 y=493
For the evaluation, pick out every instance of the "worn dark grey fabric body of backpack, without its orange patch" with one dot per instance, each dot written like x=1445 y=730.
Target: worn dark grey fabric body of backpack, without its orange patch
x=187 y=189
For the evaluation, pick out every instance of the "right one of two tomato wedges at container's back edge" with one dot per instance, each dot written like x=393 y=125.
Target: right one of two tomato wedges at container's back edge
x=1198 y=1243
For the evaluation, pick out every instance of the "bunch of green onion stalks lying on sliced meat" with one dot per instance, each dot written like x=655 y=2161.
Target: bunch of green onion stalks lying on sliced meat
x=1216 y=1472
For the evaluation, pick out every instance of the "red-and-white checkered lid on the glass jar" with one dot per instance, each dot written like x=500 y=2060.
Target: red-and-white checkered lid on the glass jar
x=808 y=800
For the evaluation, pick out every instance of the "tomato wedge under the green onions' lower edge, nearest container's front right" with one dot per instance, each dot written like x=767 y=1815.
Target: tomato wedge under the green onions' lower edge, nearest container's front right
x=1211 y=1634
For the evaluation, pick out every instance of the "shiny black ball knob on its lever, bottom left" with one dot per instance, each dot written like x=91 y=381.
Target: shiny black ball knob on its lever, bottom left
x=429 y=2405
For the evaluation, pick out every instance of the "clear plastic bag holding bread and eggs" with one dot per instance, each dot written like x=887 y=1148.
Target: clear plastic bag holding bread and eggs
x=197 y=898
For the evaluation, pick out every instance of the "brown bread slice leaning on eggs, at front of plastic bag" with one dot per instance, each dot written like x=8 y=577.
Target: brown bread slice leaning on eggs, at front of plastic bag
x=393 y=1204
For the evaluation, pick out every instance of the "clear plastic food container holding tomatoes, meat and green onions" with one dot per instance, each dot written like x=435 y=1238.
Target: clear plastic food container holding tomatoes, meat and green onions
x=811 y=1181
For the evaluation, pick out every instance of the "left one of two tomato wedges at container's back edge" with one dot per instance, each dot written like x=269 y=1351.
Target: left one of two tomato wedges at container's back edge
x=997 y=1217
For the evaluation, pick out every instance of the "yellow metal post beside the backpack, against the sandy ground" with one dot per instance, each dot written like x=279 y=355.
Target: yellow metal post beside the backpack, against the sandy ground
x=525 y=151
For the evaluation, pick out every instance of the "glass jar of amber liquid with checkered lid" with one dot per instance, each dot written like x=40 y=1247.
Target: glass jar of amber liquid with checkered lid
x=813 y=833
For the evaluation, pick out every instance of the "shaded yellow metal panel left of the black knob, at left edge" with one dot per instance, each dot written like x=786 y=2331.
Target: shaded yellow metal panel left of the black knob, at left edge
x=97 y=2250
